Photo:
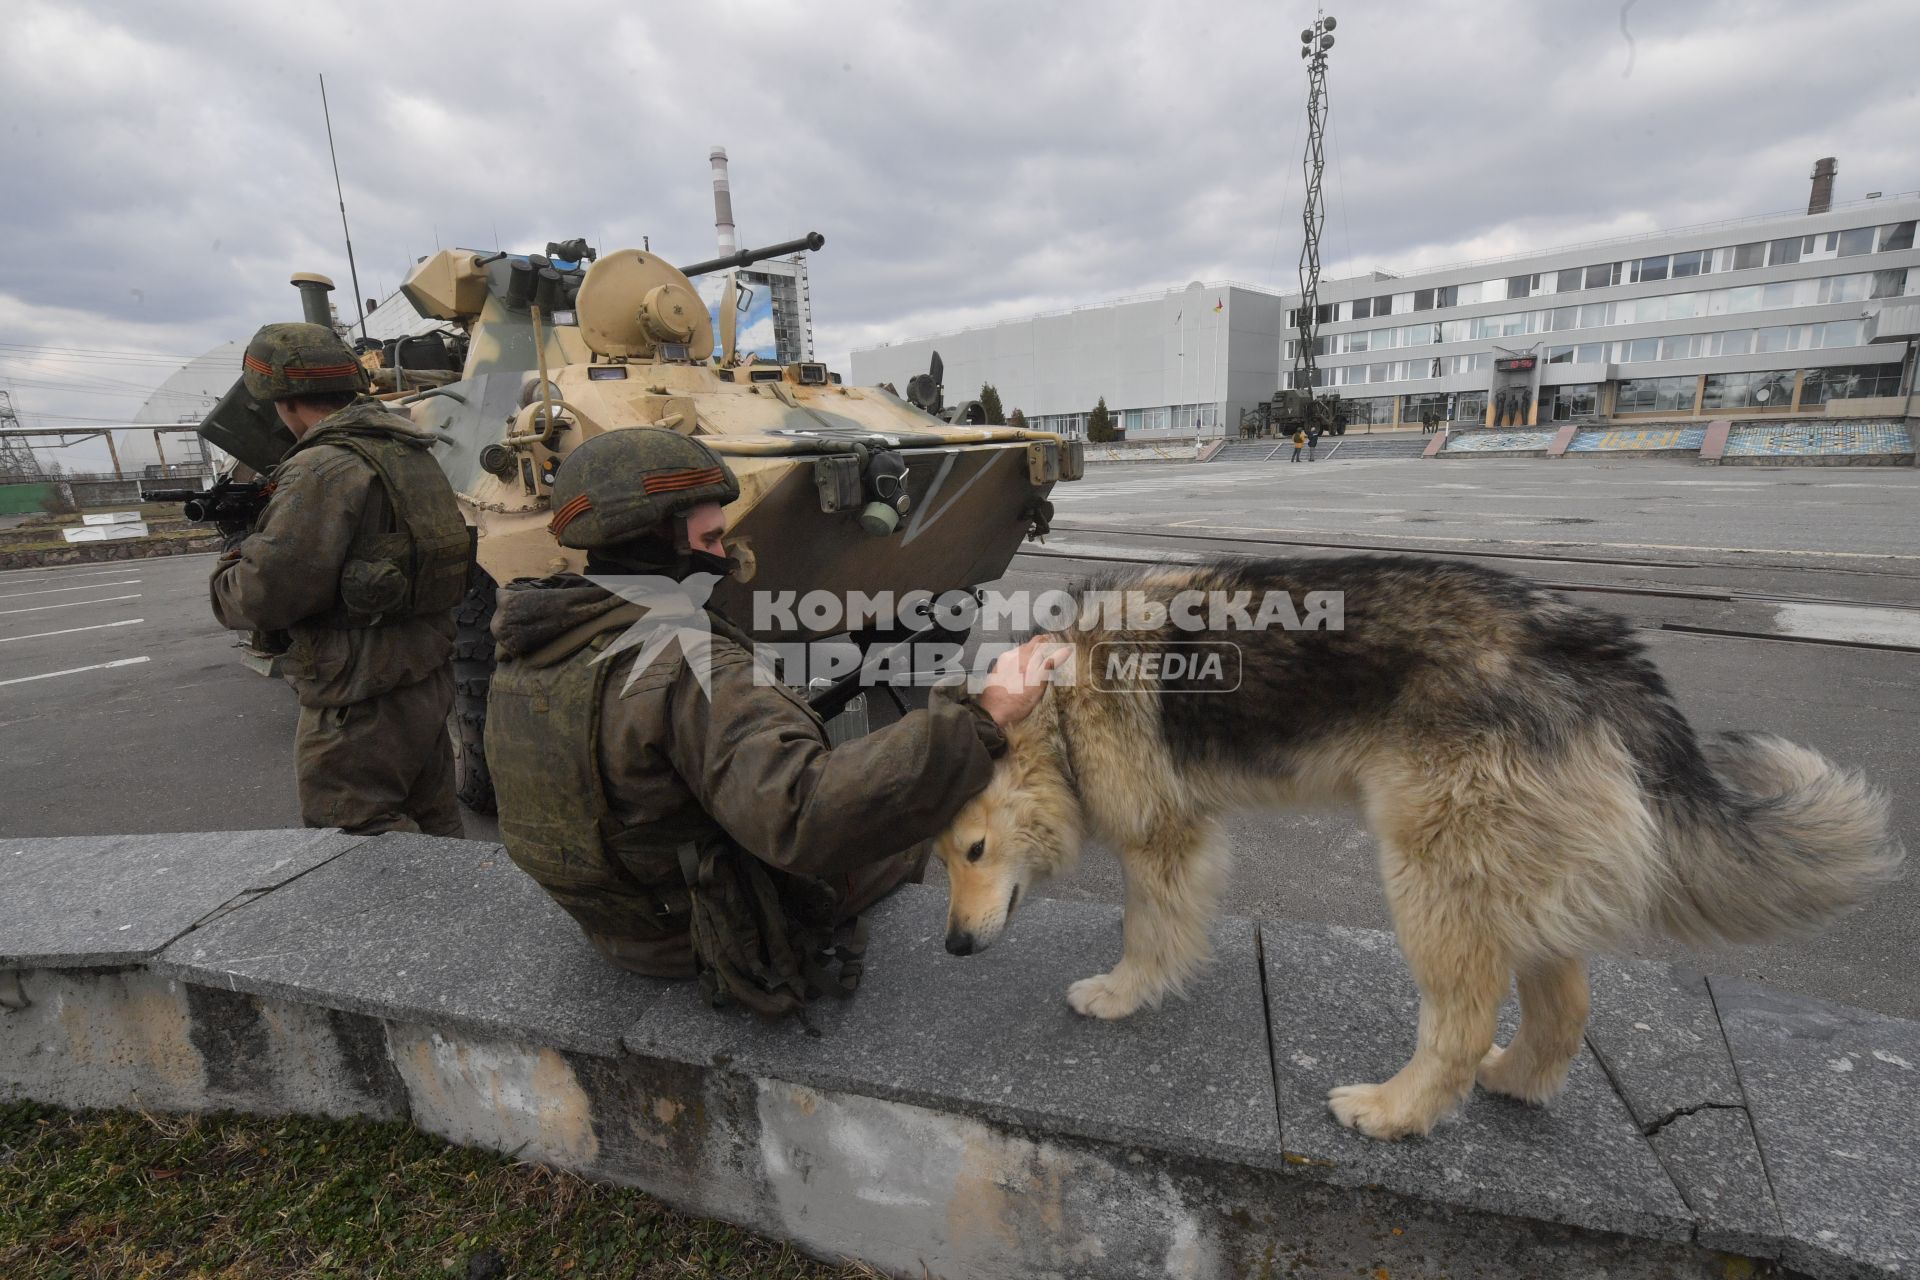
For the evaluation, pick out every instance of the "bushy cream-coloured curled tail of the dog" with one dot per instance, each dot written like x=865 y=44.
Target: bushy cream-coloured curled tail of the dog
x=1790 y=841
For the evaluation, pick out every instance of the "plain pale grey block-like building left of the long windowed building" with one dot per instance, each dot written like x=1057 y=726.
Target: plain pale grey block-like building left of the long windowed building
x=1170 y=366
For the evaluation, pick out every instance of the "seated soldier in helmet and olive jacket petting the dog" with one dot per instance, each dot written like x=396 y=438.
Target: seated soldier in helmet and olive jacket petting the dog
x=688 y=811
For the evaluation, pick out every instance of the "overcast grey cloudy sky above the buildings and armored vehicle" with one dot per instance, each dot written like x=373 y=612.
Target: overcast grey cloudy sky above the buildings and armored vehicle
x=166 y=164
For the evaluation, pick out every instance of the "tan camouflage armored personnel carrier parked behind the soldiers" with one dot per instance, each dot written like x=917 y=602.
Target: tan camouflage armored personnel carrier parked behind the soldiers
x=842 y=488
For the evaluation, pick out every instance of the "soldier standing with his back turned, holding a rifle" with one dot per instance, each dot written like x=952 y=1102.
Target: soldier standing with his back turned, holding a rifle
x=360 y=559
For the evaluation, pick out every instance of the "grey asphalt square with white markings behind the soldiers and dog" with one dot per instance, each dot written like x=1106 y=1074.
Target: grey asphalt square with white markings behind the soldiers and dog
x=126 y=709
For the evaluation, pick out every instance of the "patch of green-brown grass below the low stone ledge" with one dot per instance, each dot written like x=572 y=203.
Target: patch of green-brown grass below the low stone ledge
x=245 y=1198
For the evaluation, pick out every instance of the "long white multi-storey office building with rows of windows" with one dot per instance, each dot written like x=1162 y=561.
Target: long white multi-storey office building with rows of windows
x=1765 y=316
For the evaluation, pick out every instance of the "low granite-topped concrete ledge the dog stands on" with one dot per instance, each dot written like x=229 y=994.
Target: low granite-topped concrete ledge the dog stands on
x=955 y=1118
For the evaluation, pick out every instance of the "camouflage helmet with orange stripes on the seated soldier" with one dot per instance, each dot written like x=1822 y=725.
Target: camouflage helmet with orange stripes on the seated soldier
x=623 y=485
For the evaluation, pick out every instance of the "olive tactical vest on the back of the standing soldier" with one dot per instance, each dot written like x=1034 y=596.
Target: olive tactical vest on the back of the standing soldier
x=414 y=550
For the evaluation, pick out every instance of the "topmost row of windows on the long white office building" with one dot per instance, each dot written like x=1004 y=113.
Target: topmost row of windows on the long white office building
x=1756 y=254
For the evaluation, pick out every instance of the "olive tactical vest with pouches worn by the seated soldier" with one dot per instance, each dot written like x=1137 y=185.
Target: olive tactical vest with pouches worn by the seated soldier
x=759 y=937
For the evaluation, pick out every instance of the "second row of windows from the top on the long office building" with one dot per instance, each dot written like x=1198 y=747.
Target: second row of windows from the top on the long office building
x=1740 y=300
